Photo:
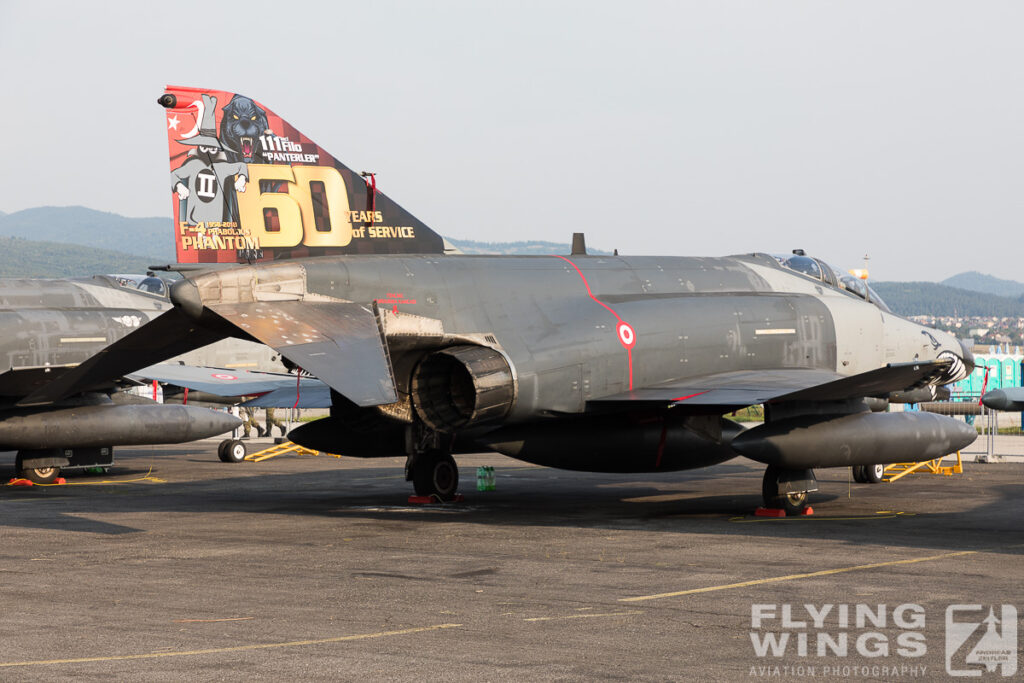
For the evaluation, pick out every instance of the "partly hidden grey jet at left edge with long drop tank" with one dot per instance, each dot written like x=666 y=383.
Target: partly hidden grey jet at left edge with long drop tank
x=52 y=326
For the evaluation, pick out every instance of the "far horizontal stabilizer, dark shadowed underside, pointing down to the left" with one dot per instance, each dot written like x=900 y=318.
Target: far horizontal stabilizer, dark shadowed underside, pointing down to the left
x=169 y=335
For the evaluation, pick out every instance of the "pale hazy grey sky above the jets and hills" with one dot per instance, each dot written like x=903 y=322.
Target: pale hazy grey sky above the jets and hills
x=690 y=129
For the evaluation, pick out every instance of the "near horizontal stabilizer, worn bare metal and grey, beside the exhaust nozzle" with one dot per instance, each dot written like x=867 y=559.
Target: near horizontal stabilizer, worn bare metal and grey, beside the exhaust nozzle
x=340 y=344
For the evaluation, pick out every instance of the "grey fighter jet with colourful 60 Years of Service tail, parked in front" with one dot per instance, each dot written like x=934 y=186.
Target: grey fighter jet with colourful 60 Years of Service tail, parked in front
x=578 y=362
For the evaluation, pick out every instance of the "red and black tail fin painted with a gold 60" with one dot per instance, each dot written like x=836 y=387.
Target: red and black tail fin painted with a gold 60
x=247 y=186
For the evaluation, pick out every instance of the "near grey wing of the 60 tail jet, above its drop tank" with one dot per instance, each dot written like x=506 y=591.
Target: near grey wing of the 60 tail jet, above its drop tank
x=750 y=388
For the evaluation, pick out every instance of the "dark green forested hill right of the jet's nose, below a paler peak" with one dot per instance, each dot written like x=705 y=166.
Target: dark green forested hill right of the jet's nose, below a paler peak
x=934 y=300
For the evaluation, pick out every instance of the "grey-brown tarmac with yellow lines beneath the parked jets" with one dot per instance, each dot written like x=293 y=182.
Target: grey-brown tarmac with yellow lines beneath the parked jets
x=176 y=566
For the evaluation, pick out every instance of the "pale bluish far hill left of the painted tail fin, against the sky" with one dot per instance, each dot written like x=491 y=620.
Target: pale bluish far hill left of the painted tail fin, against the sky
x=151 y=238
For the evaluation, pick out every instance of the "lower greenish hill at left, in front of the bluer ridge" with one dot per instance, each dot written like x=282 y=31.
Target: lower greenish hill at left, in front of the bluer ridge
x=28 y=259
